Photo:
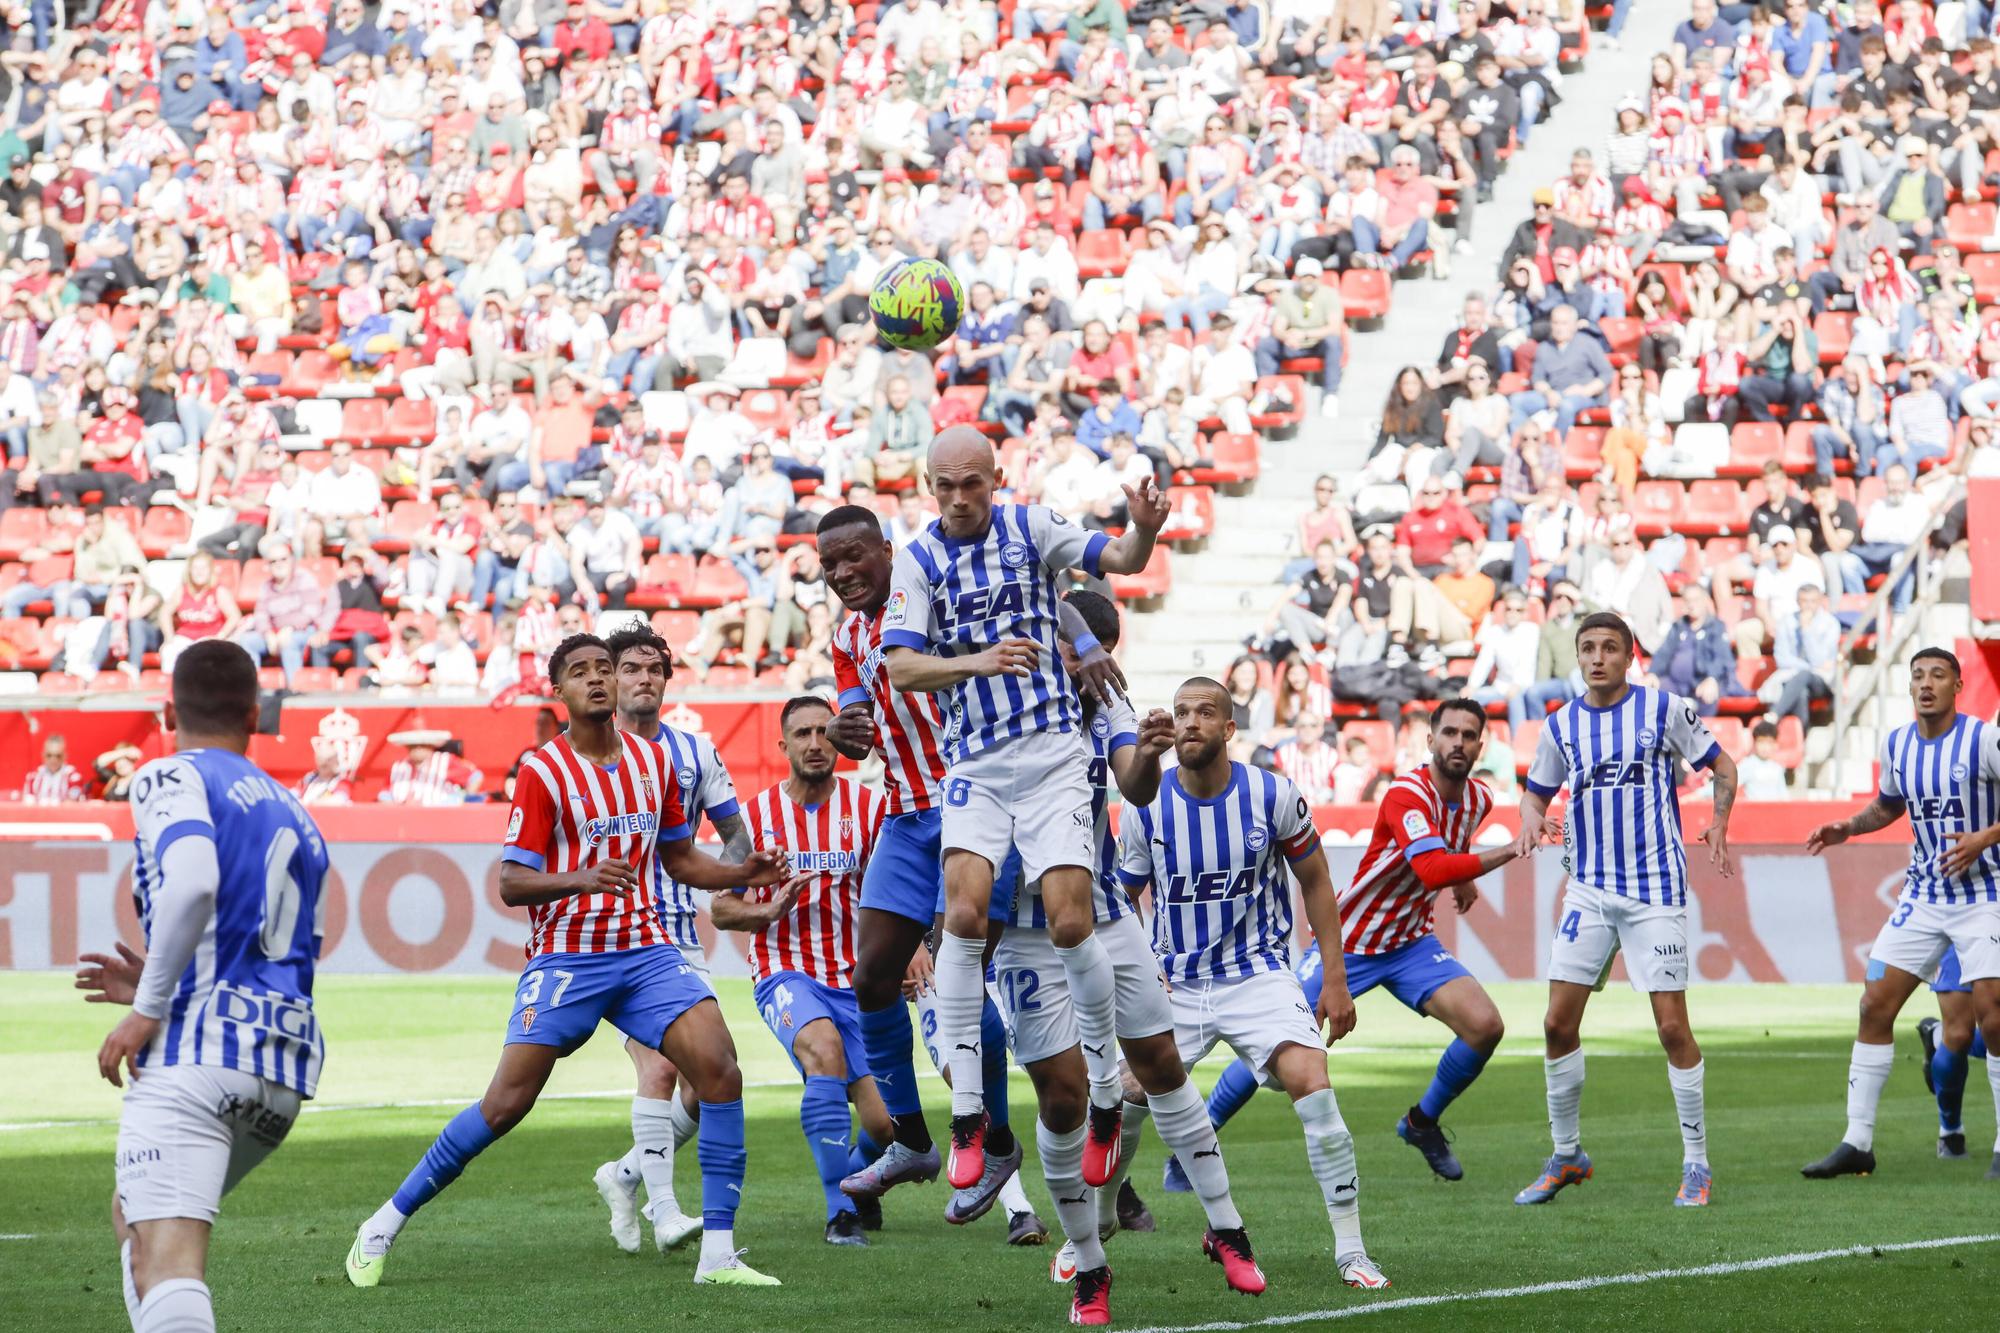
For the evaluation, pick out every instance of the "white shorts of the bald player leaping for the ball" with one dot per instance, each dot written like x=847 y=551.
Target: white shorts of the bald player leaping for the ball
x=1031 y=796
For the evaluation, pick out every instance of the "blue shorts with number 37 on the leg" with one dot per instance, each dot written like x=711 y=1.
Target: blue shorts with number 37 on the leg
x=639 y=992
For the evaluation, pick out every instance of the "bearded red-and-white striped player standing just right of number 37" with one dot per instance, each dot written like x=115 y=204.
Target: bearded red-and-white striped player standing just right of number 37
x=803 y=954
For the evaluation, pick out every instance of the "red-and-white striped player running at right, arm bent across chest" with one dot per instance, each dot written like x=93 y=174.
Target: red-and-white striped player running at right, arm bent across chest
x=1421 y=848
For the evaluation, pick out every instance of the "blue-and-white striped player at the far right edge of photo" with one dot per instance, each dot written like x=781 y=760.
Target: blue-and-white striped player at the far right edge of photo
x=1945 y=774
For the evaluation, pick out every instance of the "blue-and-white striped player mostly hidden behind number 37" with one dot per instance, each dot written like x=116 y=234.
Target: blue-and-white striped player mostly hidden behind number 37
x=665 y=1124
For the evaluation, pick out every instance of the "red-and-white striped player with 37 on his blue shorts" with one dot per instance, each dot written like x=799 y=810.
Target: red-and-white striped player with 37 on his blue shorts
x=593 y=810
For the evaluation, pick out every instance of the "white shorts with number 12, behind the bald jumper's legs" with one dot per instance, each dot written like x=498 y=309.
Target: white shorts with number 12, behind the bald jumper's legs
x=1035 y=990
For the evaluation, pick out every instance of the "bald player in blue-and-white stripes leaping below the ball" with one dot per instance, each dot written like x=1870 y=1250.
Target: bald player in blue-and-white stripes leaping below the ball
x=973 y=613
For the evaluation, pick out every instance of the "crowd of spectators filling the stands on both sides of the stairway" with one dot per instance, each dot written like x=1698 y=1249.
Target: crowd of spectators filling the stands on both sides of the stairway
x=395 y=339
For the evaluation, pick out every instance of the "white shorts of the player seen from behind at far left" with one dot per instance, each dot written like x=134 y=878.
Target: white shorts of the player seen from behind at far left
x=189 y=1134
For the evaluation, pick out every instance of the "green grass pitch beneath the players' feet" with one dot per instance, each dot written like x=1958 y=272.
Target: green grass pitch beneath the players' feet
x=519 y=1244
